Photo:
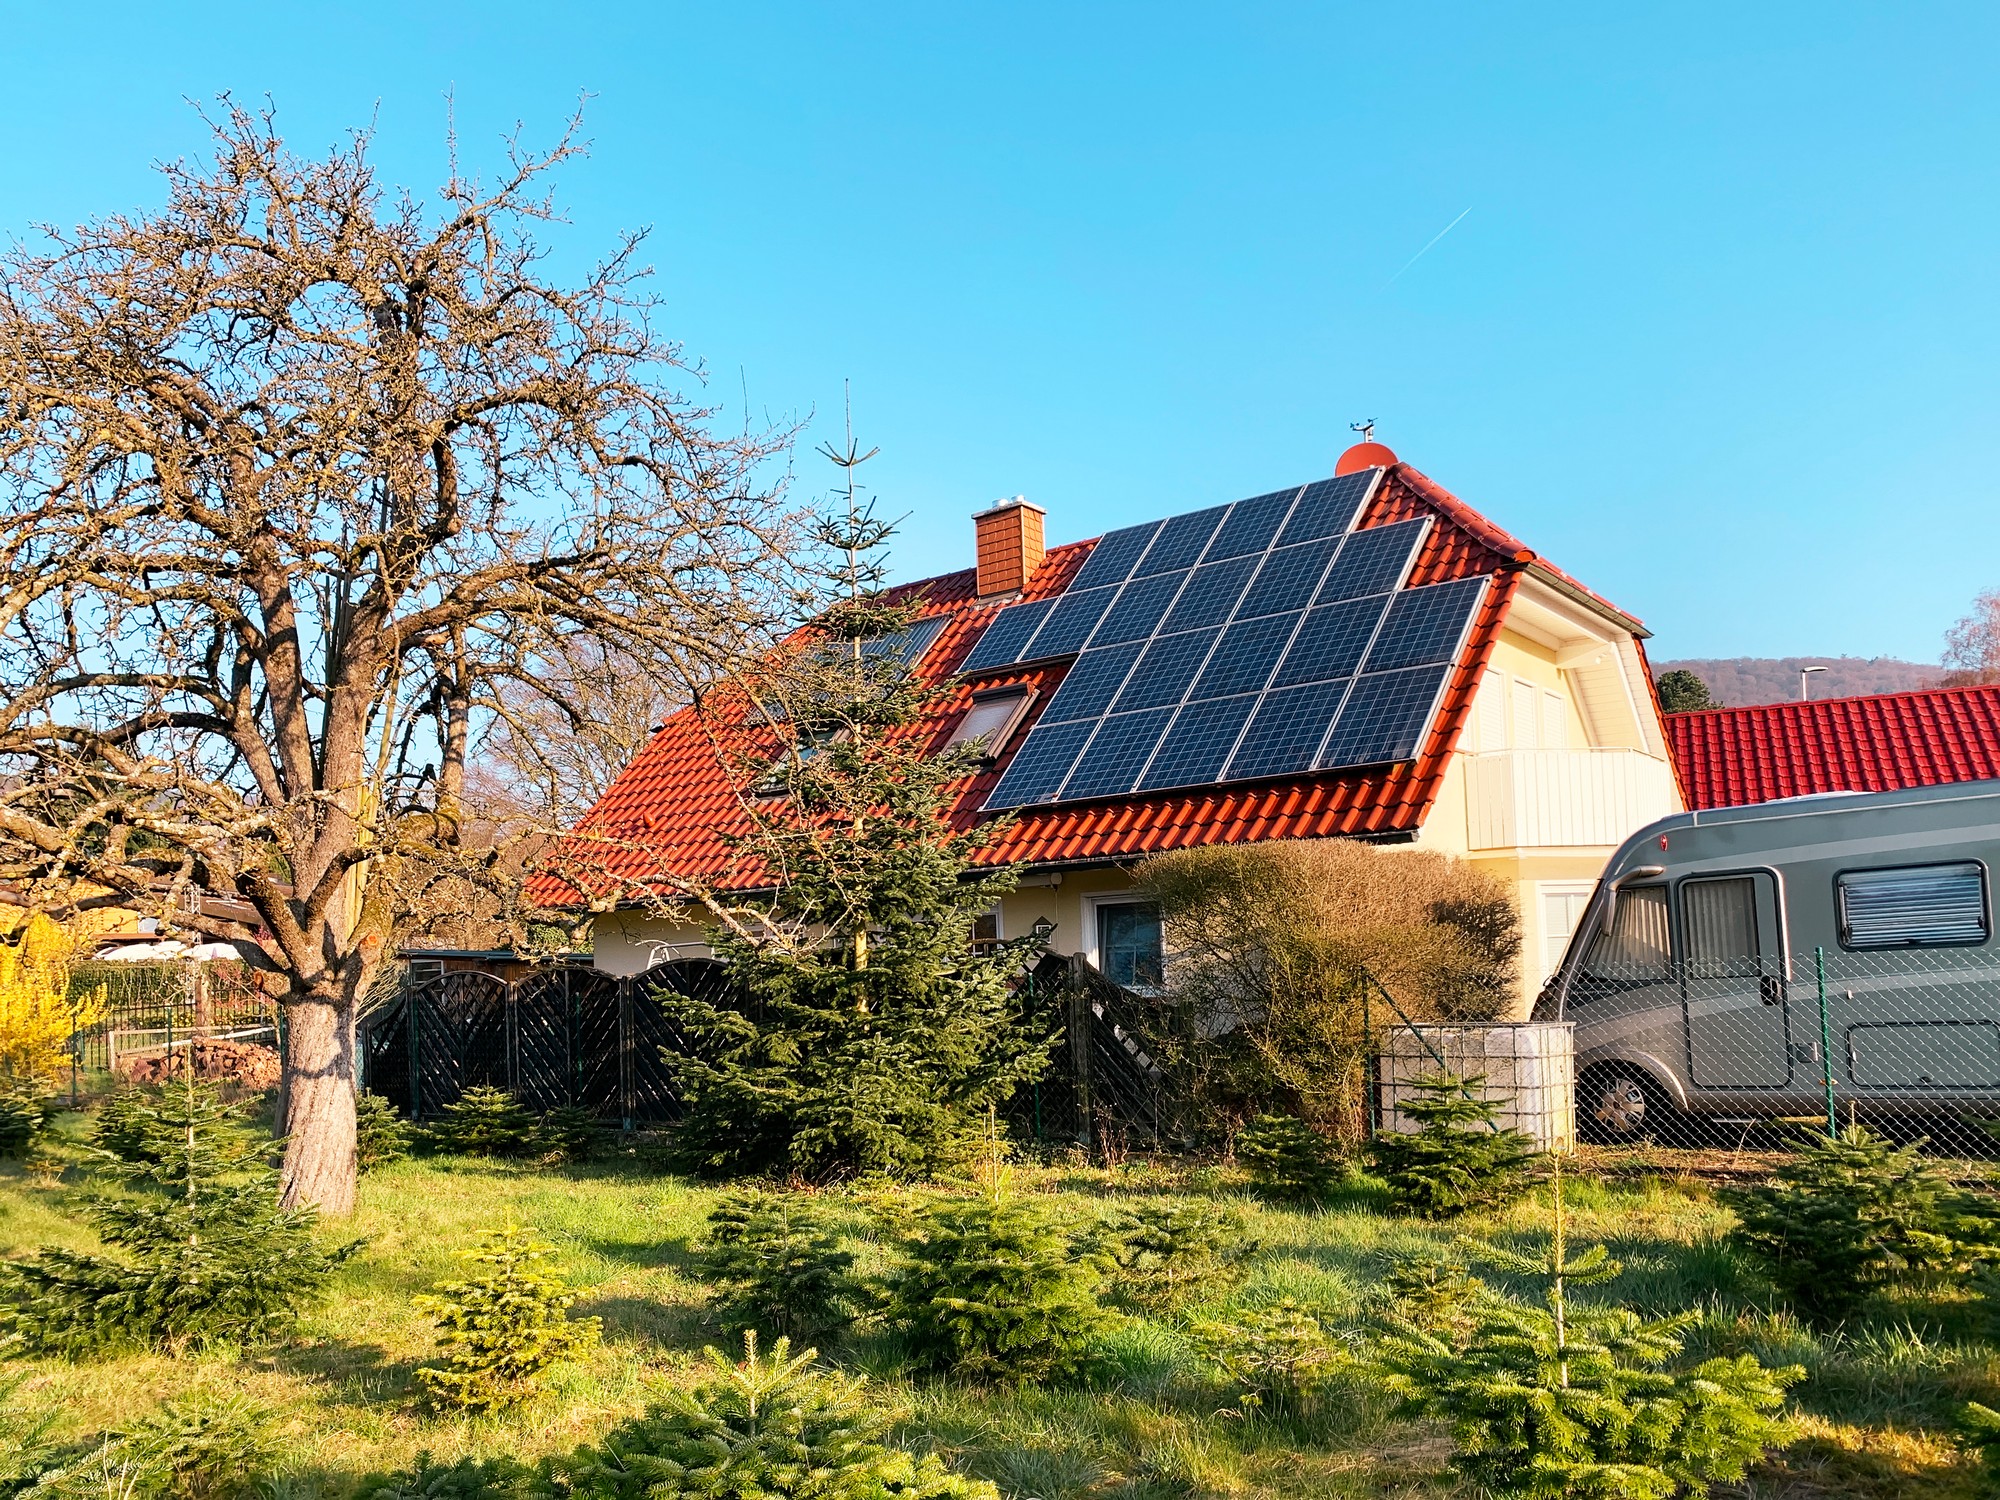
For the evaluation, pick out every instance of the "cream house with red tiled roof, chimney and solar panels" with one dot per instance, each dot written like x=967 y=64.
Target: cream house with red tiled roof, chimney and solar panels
x=1365 y=657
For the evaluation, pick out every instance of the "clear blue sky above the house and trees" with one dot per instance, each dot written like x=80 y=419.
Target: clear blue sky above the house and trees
x=1717 y=329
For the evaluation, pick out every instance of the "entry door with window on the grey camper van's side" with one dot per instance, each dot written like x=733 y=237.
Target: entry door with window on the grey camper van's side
x=1735 y=983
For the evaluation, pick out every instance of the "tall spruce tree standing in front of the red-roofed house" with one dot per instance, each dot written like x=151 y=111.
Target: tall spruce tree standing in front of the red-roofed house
x=865 y=1037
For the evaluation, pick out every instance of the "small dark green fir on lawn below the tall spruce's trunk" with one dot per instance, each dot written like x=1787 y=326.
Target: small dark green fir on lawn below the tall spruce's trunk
x=777 y=1265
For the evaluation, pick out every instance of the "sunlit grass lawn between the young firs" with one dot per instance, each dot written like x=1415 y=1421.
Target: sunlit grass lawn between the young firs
x=1875 y=1411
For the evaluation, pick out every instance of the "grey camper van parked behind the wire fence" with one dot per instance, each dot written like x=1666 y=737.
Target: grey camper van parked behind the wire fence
x=1789 y=959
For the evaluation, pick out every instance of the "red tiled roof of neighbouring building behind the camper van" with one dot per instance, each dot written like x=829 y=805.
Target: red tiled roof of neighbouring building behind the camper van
x=1885 y=741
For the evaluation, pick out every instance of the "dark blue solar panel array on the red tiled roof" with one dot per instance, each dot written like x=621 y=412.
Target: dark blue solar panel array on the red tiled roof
x=1249 y=641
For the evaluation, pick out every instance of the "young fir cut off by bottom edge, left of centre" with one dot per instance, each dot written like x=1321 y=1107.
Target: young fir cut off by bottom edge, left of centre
x=769 y=1427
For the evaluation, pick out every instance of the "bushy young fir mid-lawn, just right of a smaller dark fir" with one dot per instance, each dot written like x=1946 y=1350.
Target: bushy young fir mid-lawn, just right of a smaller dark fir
x=993 y=1289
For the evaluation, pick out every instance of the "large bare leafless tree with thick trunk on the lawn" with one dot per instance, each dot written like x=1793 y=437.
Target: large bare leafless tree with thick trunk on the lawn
x=297 y=475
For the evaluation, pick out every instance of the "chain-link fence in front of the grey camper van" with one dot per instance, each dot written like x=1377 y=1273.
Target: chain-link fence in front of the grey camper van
x=1723 y=1049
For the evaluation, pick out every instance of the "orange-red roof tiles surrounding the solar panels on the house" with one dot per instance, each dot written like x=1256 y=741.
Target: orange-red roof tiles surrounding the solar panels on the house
x=677 y=805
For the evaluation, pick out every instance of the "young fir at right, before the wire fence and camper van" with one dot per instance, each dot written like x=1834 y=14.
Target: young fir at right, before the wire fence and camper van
x=1849 y=1215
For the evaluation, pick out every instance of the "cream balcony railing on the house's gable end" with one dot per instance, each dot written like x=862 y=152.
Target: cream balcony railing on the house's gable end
x=1563 y=799
